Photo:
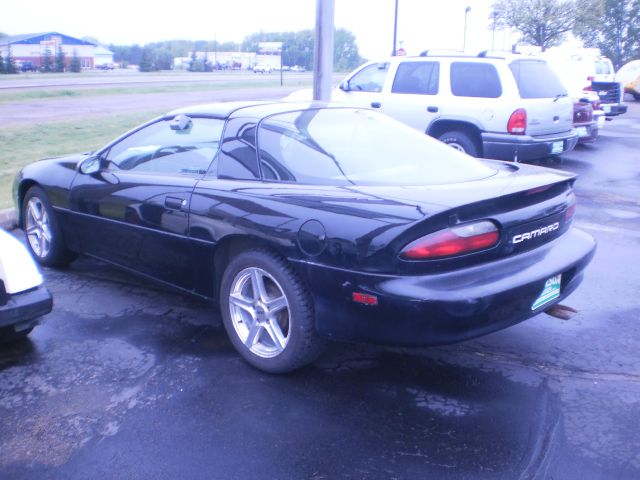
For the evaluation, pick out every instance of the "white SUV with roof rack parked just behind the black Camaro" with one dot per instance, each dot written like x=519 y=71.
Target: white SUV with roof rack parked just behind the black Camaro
x=507 y=109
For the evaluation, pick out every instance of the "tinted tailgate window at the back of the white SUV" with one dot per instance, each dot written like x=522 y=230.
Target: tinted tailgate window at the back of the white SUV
x=535 y=79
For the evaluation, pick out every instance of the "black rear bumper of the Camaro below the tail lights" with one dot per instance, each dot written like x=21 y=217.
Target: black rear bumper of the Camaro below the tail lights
x=447 y=307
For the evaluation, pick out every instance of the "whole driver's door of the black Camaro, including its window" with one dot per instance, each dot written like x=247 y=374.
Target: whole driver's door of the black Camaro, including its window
x=133 y=210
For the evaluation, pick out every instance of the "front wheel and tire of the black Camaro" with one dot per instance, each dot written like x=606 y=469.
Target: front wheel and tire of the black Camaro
x=44 y=236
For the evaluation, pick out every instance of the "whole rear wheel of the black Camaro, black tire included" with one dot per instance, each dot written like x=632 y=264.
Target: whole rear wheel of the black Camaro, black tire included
x=268 y=312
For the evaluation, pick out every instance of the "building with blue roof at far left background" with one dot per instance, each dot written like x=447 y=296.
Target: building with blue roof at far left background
x=32 y=47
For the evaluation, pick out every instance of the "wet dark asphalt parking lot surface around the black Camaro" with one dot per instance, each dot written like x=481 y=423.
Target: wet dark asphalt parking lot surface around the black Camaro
x=127 y=380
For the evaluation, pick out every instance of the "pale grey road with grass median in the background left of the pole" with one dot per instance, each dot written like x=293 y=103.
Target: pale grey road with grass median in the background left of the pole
x=207 y=88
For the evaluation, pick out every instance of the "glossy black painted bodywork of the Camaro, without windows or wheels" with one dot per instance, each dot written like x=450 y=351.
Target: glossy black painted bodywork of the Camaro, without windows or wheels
x=126 y=219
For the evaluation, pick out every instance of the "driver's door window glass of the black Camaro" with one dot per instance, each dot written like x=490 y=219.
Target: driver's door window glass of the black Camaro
x=159 y=148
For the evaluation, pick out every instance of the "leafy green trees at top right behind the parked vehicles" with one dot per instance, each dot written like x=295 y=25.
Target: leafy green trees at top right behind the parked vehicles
x=613 y=26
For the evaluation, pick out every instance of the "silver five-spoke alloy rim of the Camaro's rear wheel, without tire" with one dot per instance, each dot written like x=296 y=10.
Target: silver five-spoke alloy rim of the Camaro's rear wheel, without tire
x=259 y=312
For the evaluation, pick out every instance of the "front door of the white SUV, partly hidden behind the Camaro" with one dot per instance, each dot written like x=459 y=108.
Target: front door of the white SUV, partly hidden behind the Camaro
x=365 y=87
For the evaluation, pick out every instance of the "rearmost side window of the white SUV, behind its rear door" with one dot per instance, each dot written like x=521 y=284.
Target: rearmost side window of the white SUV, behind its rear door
x=471 y=79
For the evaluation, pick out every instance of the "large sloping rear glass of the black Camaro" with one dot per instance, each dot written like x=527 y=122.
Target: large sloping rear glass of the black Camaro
x=358 y=147
